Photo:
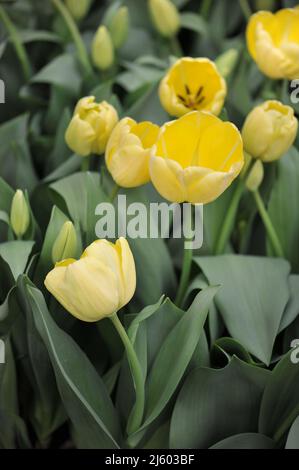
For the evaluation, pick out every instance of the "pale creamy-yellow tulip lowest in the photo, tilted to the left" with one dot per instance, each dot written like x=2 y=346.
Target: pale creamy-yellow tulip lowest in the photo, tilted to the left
x=96 y=286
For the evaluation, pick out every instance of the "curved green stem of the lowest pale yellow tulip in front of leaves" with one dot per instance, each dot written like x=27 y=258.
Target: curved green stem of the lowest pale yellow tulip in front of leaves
x=135 y=419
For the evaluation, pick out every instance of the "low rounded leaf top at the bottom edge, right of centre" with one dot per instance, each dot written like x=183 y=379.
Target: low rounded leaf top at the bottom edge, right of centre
x=248 y=440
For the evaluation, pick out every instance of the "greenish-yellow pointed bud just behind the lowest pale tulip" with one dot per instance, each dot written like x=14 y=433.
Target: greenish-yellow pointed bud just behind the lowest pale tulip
x=65 y=245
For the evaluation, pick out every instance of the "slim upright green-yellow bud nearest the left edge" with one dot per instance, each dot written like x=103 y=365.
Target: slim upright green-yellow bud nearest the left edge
x=19 y=214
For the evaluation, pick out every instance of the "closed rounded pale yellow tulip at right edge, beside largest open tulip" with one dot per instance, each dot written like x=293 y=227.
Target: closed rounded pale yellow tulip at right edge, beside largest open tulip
x=269 y=130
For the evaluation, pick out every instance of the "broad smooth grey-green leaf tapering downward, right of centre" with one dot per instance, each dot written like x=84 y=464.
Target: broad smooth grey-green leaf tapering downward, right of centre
x=252 y=299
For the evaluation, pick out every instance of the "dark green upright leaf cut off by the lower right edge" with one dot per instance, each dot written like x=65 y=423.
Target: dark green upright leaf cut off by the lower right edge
x=280 y=404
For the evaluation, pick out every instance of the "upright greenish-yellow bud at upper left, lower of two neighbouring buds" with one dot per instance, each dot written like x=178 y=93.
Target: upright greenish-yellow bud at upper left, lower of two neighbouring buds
x=102 y=49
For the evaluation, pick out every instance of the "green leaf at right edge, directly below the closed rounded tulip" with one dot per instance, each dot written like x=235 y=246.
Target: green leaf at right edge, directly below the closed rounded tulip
x=283 y=206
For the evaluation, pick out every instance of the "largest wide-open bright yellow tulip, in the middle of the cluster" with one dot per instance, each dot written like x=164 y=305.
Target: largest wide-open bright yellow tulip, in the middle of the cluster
x=197 y=158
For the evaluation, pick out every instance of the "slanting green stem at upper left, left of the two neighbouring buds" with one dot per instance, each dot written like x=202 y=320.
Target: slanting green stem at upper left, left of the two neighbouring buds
x=75 y=33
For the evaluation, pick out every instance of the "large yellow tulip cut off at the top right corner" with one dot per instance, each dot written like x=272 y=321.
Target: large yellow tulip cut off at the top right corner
x=273 y=42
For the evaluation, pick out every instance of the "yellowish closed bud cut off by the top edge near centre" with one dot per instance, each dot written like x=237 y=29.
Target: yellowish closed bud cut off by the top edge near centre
x=165 y=17
